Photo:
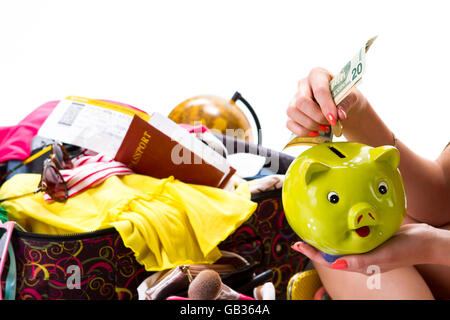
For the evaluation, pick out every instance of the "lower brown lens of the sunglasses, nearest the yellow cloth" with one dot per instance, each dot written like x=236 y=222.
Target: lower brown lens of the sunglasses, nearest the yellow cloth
x=53 y=183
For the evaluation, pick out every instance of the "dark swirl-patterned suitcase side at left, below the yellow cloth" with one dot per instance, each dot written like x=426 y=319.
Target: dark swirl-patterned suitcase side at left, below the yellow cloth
x=87 y=266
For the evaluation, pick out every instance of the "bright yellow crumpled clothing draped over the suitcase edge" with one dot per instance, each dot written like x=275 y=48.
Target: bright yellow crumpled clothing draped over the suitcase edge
x=164 y=221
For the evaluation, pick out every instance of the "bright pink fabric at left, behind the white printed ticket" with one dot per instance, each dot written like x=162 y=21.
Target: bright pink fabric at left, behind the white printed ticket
x=15 y=141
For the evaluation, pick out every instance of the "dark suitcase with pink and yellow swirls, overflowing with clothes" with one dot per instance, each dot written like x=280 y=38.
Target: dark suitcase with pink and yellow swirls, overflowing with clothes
x=97 y=265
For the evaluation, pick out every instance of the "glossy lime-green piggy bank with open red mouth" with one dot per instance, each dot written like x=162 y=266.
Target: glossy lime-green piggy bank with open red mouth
x=344 y=197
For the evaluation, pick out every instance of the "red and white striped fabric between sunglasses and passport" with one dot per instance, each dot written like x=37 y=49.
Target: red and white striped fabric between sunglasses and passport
x=90 y=170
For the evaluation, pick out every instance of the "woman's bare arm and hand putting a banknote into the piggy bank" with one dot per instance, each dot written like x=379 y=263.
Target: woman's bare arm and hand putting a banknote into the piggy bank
x=427 y=183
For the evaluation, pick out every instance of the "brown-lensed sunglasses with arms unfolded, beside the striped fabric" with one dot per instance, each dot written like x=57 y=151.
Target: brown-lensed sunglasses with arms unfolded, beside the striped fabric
x=52 y=182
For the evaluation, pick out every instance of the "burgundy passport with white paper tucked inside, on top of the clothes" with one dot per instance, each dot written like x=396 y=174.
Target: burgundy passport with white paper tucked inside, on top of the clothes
x=161 y=148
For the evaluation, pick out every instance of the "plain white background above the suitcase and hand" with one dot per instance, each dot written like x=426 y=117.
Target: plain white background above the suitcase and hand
x=155 y=54
